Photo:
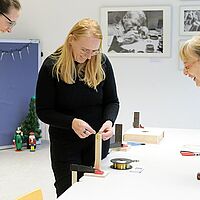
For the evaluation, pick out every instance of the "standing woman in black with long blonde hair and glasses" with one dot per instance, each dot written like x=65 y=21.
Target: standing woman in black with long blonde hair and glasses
x=76 y=95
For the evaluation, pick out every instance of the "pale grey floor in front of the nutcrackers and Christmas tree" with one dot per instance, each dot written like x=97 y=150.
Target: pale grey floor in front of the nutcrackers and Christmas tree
x=22 y=172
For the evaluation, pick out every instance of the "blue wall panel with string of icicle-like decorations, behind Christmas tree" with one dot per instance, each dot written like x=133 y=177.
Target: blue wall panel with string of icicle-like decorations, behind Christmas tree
x=18 y=76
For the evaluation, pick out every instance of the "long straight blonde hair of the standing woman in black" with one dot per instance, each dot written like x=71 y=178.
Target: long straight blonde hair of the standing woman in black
x=90 y=72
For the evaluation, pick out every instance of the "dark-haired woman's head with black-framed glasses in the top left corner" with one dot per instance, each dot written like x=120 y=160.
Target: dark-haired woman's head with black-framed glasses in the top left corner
x=9 y=13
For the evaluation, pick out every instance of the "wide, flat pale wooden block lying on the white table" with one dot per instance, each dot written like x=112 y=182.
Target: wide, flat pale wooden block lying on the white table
x=149 y=136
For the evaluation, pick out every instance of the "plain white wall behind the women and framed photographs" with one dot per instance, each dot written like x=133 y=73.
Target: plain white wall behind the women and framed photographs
x=153 y=86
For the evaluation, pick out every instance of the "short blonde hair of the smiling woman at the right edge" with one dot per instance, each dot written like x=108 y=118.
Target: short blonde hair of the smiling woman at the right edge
x=190 y=49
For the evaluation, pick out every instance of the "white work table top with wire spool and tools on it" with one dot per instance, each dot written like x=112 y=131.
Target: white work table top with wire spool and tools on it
x=167 y=175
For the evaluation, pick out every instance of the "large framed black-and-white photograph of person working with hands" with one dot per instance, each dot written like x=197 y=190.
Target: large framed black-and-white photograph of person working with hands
x=136 y=31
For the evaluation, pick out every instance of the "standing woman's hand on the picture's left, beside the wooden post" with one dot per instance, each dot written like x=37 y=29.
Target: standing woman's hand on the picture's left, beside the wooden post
x=82 y=128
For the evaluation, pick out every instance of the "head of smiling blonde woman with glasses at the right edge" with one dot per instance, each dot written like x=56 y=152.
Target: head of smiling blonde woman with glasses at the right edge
x=190 y=55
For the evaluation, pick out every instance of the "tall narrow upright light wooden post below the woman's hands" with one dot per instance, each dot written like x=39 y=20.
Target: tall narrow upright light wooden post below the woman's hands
x=98 y=147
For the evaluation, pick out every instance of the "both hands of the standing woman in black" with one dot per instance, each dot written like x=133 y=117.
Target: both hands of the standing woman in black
x=83 y=129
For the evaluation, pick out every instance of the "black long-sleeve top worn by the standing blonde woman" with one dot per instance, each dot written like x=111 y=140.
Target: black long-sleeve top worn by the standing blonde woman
x=58 y=103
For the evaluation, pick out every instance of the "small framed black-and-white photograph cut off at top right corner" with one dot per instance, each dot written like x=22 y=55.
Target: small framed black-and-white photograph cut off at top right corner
x=189 y=20
